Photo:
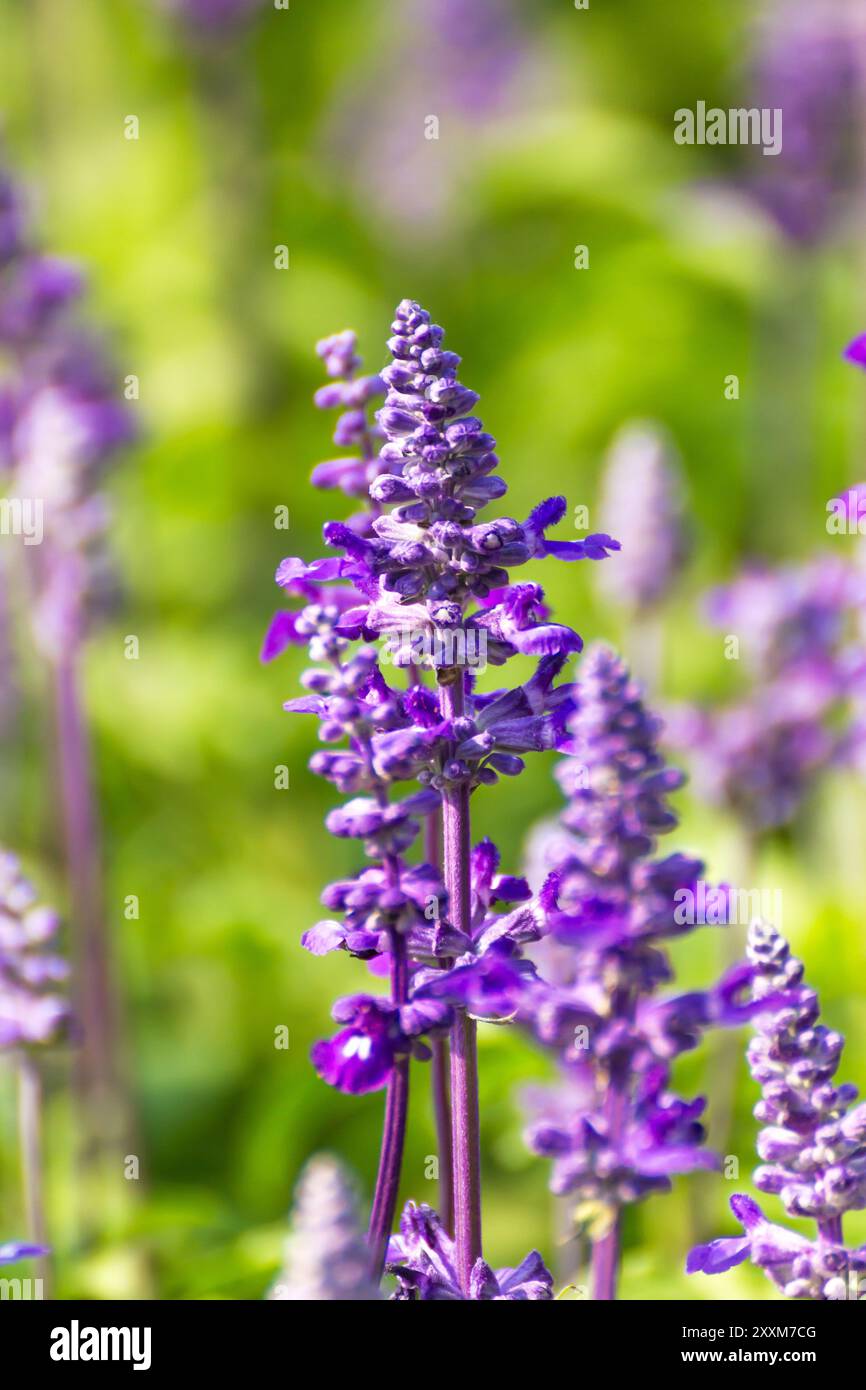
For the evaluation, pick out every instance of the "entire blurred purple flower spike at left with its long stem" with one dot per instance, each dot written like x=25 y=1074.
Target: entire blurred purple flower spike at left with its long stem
x=62 y=426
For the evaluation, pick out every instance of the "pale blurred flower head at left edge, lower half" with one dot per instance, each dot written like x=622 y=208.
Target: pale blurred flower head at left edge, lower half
x=33 y=1008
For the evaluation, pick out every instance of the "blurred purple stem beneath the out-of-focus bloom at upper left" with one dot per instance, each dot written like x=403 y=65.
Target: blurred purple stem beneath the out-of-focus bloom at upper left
x=95 y=1001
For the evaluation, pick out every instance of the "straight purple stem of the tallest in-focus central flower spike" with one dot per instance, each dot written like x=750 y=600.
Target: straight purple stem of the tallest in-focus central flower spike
x=464 y=1047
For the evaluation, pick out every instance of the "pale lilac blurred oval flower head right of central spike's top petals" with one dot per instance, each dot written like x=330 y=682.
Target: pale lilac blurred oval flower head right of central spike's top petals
x=643 y=507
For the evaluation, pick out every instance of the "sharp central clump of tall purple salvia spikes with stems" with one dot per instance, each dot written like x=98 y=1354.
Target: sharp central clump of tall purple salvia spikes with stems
x=430 y=572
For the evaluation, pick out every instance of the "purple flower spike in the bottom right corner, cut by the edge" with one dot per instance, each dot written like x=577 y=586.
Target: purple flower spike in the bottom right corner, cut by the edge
x=812 y=1143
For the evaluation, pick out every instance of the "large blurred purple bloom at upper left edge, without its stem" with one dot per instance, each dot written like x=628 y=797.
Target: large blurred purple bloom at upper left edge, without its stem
x=62 y=425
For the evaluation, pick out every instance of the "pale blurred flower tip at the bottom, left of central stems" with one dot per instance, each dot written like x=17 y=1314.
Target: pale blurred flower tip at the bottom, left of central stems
x=326 y=1257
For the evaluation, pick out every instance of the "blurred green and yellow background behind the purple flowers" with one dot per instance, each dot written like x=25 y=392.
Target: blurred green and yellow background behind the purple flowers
x=307 y=129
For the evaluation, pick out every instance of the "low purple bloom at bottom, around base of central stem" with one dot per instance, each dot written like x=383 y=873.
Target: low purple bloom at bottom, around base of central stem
x=422 y=1257
